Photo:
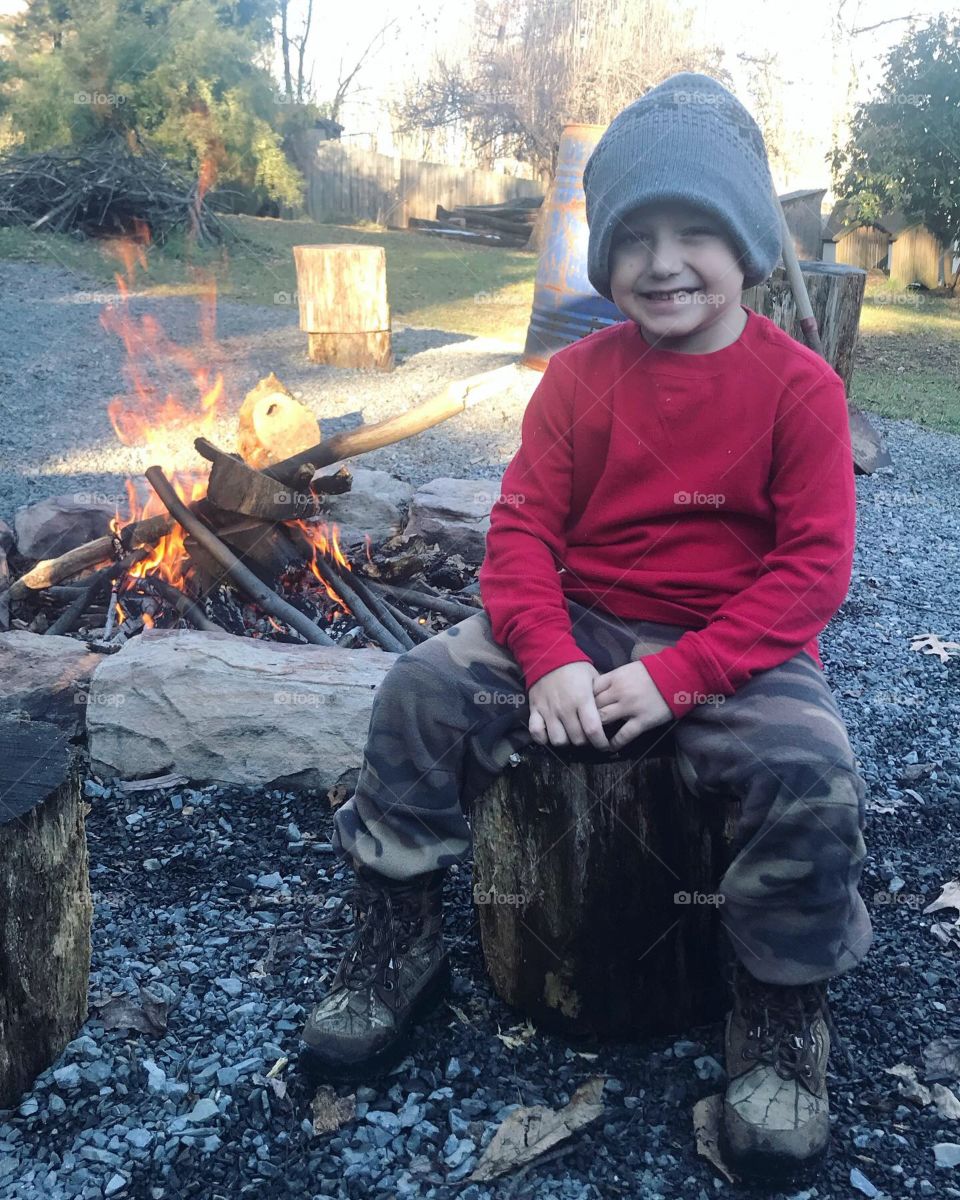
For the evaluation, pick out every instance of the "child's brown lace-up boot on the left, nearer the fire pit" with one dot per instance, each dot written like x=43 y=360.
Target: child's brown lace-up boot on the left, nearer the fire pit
x=393 y=974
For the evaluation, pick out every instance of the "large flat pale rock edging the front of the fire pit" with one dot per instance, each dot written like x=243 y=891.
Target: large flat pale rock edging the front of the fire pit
x=219 y=709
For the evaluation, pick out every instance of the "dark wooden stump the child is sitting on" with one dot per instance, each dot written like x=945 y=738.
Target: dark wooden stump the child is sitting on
x=578 y=859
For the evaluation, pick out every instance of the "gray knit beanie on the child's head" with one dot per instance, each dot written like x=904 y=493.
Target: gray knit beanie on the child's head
x=687 y=140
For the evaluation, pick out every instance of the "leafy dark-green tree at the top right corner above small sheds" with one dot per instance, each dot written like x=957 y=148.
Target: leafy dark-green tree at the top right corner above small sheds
x=904 y=149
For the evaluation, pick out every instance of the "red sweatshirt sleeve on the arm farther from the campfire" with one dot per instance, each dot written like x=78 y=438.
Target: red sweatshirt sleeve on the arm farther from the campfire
x=803 y=580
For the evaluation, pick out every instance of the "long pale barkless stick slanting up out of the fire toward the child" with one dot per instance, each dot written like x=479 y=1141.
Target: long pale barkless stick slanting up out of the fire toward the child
x=454 y=399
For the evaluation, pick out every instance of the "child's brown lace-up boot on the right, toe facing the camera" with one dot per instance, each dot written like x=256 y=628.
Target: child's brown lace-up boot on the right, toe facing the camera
x=776 y=1124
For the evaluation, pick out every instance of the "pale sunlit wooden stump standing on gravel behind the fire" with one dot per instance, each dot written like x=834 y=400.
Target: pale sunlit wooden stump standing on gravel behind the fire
x=344 y=308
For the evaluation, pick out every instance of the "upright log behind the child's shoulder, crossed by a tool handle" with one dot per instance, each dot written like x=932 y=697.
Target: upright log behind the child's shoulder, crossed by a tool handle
x=836 y=295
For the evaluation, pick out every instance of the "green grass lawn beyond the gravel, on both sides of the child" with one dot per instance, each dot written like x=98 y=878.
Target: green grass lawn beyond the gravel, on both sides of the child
x=908 y=359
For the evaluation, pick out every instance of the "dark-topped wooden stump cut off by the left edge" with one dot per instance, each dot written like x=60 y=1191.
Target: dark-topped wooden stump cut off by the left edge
x=45 y=903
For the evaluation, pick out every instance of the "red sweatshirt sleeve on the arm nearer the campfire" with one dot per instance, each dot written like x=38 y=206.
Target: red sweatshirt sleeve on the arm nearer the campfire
x=520 y=585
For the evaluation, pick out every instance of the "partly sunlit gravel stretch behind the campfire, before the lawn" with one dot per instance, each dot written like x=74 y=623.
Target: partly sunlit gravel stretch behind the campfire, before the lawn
x=59 y=369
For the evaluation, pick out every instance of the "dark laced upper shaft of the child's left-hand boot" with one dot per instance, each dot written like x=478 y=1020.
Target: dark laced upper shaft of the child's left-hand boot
x=388 y=920
